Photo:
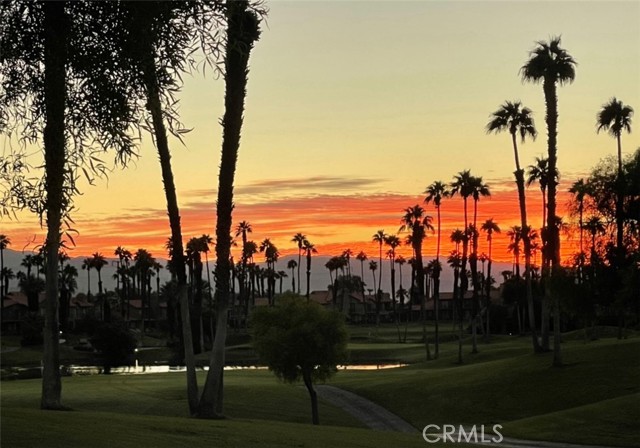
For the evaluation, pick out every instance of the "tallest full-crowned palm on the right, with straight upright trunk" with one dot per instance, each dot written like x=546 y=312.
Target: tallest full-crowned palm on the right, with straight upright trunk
x=550 y=64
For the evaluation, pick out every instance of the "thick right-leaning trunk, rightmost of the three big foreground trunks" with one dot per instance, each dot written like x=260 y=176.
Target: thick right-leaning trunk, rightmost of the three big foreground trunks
x=242 y=32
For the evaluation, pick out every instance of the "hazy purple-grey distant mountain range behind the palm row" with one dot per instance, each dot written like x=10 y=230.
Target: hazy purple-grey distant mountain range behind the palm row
x=319 y=274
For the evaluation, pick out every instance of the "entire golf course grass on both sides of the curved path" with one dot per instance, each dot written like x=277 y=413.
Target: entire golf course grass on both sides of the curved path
x=593 y=399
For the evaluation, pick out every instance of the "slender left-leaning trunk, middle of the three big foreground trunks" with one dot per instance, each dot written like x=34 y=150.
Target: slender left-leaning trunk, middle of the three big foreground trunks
x=155 y=108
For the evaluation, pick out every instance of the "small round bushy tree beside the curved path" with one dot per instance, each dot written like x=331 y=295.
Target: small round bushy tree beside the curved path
x=300 y=341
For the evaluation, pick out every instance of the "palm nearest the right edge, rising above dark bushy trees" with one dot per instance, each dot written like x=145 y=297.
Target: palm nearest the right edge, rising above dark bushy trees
x=615 y=118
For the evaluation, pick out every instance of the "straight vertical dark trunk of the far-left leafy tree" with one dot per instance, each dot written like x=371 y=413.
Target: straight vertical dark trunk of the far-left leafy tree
x=55 y=37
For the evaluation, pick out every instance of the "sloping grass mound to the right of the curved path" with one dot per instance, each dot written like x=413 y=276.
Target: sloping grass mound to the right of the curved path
x=505 y=383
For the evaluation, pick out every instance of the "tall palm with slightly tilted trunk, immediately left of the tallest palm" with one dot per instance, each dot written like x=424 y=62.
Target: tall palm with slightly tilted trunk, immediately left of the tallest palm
x=518 y=120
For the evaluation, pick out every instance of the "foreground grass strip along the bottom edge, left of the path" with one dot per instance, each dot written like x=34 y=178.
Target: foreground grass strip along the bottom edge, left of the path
x=107 y=430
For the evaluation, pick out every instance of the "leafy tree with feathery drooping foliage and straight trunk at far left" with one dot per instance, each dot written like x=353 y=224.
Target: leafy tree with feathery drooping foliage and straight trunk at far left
x=54 y=88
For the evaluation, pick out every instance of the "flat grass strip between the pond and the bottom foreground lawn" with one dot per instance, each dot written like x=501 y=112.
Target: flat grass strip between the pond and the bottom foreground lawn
x=248 y=394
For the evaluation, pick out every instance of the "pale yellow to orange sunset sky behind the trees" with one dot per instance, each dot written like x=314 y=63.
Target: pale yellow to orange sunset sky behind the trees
x=354 y=107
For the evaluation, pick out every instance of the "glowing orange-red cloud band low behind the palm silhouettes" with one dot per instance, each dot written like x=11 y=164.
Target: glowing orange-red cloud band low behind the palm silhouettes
x=333 y=222
